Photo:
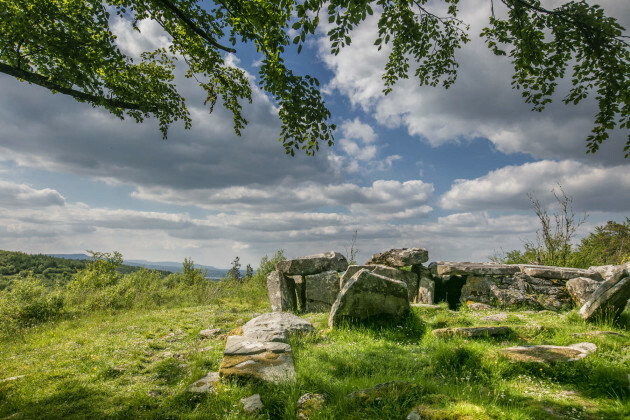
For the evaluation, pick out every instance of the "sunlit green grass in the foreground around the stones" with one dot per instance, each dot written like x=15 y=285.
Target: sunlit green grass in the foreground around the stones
x=138 y=363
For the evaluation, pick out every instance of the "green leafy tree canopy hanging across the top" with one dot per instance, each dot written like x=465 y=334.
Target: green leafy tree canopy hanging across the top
x=68 y=46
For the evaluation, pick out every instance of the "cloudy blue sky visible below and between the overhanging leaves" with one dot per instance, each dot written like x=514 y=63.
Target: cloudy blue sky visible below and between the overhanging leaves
x=446 y=170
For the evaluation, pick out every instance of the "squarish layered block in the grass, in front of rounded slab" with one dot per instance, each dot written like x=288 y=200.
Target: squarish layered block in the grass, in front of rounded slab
x=246 y=358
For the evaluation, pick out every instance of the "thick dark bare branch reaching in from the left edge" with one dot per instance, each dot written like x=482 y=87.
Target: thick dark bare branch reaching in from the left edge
x=43 y=81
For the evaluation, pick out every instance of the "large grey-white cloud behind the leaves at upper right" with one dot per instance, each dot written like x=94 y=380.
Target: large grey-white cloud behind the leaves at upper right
x=480 y=105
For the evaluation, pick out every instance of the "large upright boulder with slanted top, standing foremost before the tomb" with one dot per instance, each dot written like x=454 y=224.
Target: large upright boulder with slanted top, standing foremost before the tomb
x=367 y=295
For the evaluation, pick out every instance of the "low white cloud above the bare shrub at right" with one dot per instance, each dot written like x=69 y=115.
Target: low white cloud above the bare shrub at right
x=594 y=188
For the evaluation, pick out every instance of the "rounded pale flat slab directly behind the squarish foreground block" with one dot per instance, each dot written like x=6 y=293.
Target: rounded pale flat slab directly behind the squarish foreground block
x=276 y=326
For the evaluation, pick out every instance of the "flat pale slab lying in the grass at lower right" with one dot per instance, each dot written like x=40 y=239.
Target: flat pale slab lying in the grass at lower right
x=549 y=354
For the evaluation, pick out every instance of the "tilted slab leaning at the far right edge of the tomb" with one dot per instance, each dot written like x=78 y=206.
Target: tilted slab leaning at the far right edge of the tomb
x=609 y=299
